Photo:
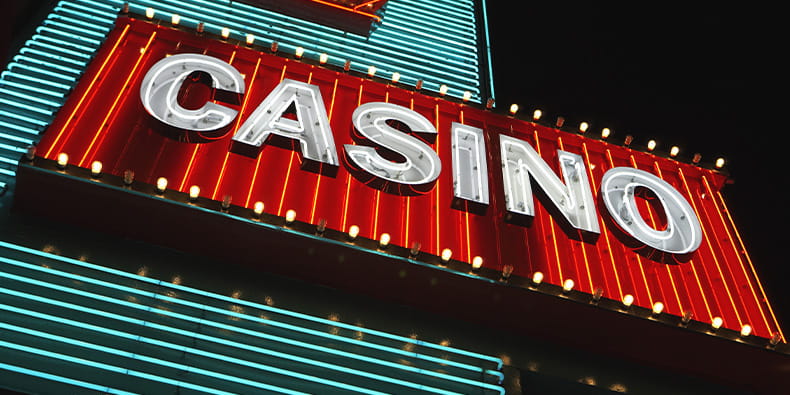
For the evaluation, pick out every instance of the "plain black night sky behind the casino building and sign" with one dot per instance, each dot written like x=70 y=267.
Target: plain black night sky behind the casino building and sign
x=705 y=79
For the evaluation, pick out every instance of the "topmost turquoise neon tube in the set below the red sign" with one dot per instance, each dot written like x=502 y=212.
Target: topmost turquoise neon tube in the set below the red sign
x=318 y=320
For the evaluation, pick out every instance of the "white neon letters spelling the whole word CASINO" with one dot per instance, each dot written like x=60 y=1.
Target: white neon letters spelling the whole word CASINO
x=419 y=165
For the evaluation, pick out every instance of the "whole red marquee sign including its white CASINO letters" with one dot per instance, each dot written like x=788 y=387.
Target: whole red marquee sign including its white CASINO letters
x=238 y=124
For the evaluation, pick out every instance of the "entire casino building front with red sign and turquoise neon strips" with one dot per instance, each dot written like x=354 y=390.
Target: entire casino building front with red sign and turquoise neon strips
x=251 y=197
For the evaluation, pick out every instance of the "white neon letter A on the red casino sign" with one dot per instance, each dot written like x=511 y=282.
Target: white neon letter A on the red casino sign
x=310 y=128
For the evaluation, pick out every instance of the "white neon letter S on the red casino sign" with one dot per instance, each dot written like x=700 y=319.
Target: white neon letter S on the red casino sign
x=421 y=164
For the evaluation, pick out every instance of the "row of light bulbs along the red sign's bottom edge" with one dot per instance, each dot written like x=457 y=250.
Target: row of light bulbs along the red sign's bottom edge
x=385 y=239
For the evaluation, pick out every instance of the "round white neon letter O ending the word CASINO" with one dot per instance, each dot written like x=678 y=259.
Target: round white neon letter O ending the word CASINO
x=683 y=233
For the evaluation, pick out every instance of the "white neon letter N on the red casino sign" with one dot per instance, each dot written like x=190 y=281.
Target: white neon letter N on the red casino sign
x=572 y=198
